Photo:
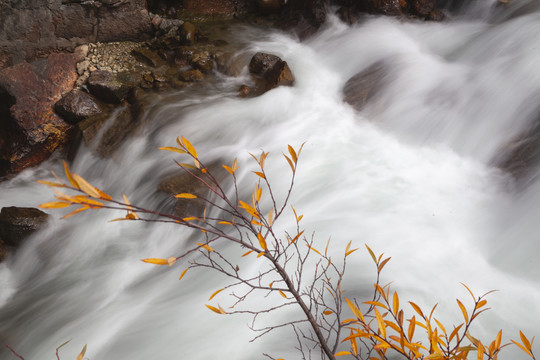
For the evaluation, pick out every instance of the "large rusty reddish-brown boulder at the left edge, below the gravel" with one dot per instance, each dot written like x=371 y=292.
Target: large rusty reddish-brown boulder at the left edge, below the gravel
x=31 y=130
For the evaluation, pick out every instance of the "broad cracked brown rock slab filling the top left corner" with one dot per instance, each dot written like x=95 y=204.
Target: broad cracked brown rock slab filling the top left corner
x=31 y=29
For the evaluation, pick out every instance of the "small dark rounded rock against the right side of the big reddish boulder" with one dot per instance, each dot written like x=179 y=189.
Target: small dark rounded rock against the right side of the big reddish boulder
x=77 y=105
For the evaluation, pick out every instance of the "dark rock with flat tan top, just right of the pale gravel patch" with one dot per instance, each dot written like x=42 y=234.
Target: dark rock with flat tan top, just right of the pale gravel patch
x=112 y=88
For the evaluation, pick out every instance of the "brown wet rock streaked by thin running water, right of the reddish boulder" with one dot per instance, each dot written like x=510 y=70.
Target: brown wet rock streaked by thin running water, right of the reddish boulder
x=106 y=132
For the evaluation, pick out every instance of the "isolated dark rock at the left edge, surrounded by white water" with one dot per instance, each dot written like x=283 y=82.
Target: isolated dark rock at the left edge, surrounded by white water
x=17 y=223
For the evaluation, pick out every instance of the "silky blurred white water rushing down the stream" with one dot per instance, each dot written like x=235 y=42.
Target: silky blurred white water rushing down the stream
x=410 y=176
